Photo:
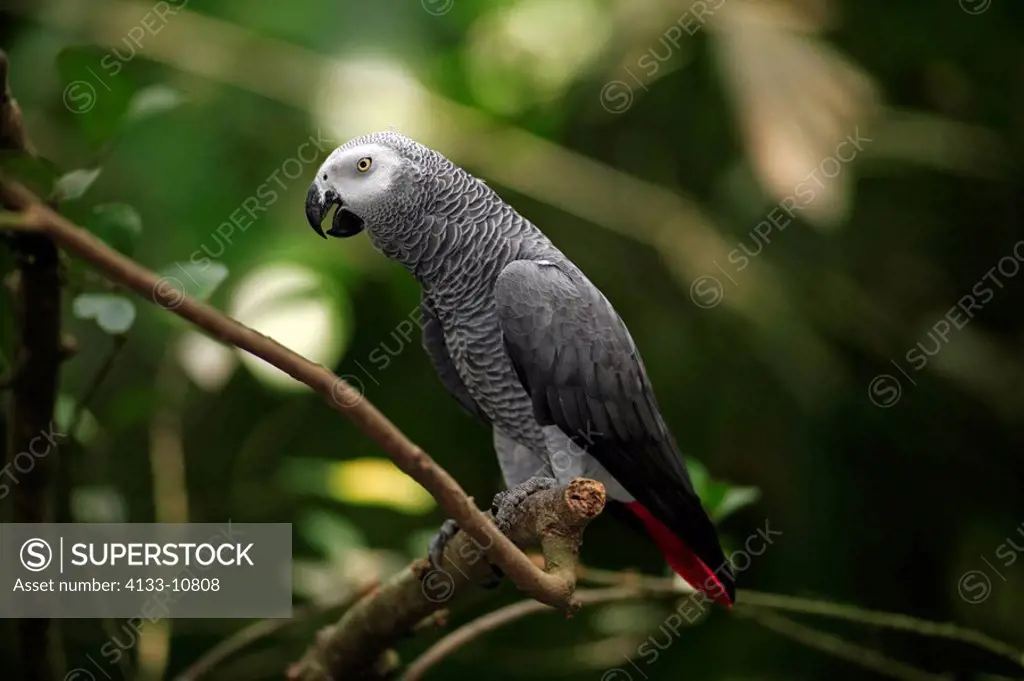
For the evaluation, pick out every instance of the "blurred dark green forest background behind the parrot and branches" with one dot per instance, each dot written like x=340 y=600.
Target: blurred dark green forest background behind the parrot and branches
x=888 y=491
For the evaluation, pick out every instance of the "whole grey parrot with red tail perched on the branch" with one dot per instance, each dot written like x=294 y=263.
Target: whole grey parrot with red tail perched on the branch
x=524 y=340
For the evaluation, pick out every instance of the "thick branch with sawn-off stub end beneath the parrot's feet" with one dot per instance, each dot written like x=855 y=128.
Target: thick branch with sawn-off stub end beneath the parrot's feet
x=359 y=646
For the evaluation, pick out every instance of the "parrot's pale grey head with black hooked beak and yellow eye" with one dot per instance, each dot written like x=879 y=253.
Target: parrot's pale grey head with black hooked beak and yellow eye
x=377 y=183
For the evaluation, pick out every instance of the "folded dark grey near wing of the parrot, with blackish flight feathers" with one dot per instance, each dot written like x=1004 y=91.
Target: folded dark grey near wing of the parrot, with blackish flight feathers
x=576 y=359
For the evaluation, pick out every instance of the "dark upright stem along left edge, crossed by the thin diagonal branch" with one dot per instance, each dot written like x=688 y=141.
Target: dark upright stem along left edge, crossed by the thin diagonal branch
x=34 y=387
